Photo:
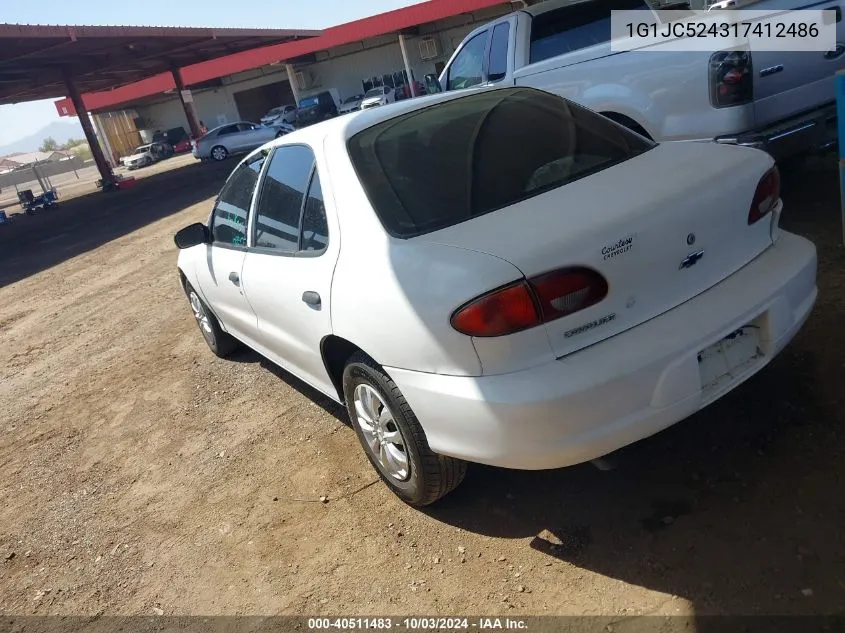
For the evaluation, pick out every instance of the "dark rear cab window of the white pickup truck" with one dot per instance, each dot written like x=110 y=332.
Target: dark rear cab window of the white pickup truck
x=575 y=27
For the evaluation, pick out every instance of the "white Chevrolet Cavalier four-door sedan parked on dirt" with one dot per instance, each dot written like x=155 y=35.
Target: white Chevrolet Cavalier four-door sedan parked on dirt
x=498 y=277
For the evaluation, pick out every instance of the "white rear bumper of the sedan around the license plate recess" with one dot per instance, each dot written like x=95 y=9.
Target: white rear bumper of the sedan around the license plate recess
x=626 y=388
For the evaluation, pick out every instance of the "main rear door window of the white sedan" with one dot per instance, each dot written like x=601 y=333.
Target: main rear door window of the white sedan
x=280 y=204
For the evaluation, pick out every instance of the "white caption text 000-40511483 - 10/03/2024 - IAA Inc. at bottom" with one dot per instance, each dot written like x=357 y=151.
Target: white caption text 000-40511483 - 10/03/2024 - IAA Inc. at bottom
x=418 y=624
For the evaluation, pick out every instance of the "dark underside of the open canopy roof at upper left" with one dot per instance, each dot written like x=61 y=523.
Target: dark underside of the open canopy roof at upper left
x=36 y=60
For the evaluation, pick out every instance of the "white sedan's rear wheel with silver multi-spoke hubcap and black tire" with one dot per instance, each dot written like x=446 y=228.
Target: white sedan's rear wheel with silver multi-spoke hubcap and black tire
x=393 y=439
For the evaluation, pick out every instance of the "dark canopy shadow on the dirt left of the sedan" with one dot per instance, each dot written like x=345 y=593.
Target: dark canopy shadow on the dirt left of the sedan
x=30 y=244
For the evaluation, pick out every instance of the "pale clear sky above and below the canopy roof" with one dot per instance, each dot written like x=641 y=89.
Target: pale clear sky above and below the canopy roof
x=19 y=120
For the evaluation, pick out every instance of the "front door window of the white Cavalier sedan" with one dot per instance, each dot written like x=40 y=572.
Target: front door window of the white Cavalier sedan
x=231 y=211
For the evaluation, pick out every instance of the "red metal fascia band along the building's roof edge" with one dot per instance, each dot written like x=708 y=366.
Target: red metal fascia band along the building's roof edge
x=390 y=22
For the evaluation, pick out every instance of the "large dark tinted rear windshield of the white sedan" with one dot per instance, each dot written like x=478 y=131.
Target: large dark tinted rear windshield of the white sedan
x=432 y=168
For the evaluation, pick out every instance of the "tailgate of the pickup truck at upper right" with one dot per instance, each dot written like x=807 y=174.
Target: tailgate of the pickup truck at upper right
x=787 y=83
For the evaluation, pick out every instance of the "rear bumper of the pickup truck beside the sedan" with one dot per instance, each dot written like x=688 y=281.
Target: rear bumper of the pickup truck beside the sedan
x=811 y=131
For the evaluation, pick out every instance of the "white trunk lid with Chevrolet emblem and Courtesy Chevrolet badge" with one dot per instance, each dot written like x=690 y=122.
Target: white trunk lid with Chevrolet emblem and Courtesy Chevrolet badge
x=635 y=223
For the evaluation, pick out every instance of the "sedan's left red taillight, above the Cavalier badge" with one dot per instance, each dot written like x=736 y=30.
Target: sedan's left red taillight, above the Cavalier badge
x=528 y=303
